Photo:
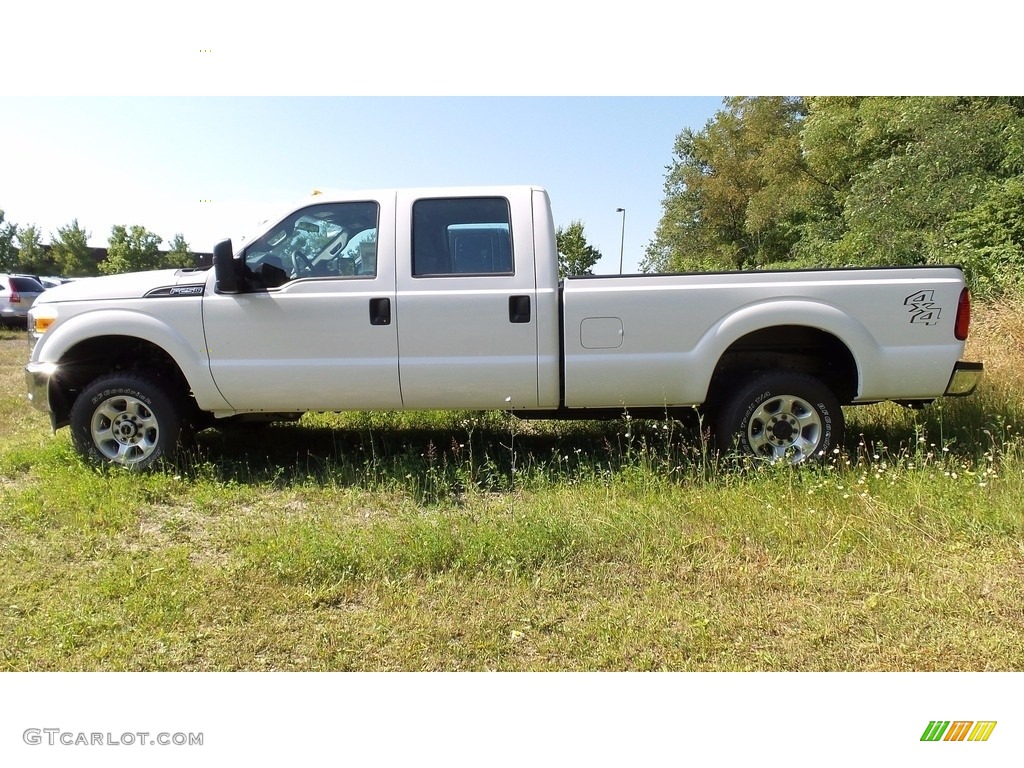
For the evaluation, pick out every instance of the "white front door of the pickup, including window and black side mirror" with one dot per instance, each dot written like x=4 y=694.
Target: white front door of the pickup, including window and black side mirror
x=314 y=329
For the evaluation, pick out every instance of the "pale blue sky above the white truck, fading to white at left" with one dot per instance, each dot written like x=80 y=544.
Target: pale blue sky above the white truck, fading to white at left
x=212 y=167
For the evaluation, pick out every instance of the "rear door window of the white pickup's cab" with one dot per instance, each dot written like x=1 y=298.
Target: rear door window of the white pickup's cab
x=455 y=237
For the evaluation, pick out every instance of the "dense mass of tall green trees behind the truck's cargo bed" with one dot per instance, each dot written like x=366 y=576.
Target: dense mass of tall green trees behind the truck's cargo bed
x=821 y=182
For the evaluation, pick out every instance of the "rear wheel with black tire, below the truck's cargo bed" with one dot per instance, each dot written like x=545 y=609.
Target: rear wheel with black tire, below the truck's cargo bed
x=781 y=416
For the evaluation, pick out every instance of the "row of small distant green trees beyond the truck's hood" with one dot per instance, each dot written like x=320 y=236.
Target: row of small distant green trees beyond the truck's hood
x=130 y=249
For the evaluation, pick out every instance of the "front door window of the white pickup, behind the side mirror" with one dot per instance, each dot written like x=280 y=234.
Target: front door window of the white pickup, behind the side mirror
x=329 y=240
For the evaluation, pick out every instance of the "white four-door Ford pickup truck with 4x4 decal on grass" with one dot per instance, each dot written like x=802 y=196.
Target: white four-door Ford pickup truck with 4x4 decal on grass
x=450 y=298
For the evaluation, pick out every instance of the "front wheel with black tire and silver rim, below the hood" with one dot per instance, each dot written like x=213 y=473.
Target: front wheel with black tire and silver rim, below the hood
x=127 y=420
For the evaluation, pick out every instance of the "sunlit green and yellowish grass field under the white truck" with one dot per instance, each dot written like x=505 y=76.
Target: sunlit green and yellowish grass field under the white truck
x=476 y=542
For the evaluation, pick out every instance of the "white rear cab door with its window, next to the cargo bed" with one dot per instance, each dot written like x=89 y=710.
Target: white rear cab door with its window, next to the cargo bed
x=466 y=303
